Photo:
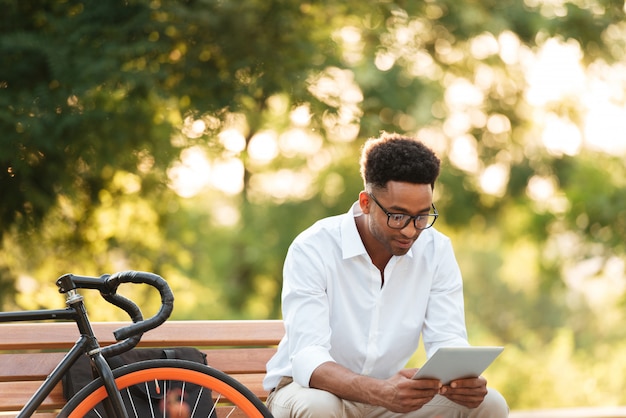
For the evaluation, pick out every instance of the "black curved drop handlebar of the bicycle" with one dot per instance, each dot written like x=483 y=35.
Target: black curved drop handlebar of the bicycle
x=130 y=335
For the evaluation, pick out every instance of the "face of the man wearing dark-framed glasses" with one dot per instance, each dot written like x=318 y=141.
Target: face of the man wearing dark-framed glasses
x=398 y=198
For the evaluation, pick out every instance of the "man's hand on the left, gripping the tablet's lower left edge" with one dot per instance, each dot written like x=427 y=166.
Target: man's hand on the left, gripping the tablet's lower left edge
x=403 y=394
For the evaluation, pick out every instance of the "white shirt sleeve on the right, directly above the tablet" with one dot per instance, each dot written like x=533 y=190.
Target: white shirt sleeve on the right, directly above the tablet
x=444 y=324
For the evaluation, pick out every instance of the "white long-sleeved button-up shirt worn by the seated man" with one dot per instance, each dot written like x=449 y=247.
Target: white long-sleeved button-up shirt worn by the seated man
x=335 y=309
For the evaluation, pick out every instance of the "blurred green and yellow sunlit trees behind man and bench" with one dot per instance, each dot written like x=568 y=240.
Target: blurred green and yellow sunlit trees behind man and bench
x=196 y=139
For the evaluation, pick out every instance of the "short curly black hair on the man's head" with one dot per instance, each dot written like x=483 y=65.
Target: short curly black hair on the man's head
x=393 y=157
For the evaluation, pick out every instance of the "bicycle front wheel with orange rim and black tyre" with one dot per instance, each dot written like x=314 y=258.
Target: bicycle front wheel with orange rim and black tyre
x=169 y=388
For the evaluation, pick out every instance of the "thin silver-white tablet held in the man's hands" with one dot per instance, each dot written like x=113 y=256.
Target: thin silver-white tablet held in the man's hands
x=451 y=363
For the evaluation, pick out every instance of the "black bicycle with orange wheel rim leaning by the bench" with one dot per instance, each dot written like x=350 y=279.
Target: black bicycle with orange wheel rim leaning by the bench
x=109 y=394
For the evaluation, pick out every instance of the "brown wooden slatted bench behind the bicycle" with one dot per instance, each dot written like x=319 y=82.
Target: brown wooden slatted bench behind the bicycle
x=29 y=352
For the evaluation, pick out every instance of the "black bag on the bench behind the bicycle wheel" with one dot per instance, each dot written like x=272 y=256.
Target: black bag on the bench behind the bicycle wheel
x=143 y=404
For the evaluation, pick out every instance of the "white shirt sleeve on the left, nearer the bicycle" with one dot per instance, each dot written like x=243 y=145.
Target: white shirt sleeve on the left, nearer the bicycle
x=306 y=310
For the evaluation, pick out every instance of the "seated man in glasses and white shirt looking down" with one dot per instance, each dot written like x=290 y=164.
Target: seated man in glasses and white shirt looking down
x=360 y=289
